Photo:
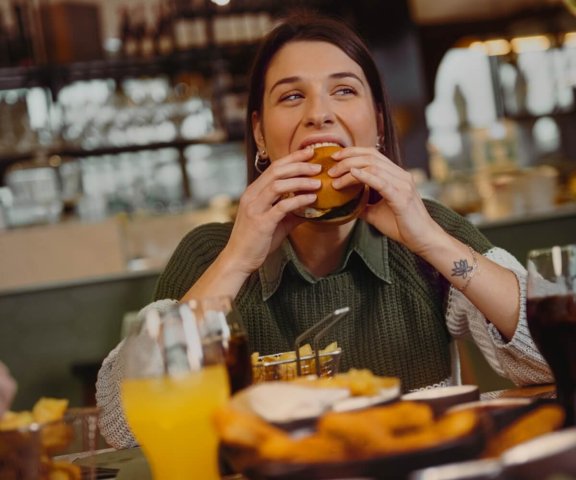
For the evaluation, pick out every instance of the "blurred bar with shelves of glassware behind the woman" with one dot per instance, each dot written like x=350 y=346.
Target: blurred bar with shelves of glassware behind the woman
x=122 y=128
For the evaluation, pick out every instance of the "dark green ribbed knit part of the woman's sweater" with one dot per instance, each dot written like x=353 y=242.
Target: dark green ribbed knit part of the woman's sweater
x=395 y=328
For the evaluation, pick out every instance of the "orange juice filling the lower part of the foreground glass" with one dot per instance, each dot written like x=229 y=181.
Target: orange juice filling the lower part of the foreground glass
x=171 y=417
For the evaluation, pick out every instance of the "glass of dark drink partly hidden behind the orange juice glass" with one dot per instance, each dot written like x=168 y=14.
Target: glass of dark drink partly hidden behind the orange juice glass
x=219 y=318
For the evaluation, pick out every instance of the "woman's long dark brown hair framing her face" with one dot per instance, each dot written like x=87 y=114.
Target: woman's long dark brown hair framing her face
x=312 y=27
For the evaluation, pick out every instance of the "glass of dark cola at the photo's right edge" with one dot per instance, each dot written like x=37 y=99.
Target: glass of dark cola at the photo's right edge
x=551 y=311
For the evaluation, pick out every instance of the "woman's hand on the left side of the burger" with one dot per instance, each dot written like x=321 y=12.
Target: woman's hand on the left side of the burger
x=264 y=215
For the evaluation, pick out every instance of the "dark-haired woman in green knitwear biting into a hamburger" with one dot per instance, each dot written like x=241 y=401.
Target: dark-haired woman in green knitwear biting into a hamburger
x=413 y=273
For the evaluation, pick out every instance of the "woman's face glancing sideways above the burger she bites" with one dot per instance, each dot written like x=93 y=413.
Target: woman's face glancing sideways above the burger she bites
x=314 y=93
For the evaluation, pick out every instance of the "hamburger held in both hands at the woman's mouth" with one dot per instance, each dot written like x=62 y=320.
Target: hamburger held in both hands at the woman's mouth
x=331 y=205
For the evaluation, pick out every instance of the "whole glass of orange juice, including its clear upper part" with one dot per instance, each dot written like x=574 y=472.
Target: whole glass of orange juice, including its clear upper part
x=175 y=378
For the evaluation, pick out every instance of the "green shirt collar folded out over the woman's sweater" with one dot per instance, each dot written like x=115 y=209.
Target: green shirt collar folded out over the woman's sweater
x=366 y=242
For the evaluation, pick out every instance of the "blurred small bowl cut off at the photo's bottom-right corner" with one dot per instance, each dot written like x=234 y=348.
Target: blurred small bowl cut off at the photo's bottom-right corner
x=547 y=456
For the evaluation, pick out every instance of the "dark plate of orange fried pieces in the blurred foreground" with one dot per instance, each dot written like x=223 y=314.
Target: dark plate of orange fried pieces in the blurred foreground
x=387 y=441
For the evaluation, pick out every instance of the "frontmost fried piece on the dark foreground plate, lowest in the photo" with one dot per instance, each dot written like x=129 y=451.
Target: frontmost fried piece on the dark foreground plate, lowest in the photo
x=311 y=449
